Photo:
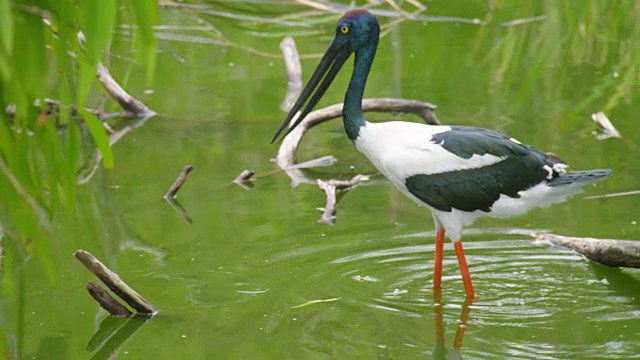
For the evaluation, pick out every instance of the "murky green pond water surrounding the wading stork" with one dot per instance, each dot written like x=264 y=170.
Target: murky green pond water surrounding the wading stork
x=228 y=282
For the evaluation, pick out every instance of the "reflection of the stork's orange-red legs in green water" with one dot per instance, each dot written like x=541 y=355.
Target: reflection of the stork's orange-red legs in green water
x=440 y=350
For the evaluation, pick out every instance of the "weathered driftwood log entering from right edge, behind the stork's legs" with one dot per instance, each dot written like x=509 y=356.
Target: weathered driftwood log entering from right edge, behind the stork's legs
x=610 y=252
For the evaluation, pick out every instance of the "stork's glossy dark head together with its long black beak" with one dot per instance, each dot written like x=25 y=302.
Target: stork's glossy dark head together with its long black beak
x=356 y=30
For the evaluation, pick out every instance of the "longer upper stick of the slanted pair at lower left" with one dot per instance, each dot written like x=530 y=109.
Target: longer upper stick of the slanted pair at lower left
x=115 y=284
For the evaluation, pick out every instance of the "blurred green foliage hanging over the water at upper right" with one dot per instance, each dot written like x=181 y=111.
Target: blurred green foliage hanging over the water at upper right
x=599 y=36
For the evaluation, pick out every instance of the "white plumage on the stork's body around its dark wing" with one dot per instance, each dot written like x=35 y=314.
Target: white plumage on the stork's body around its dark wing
x=400 y=150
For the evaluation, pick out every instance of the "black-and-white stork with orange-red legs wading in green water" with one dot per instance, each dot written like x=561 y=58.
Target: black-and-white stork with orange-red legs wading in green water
x=460 y=173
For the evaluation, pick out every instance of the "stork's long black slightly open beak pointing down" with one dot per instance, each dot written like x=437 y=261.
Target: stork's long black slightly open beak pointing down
x=327 y=69
